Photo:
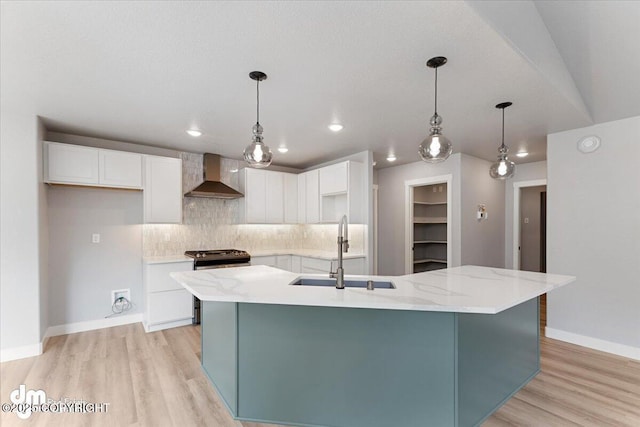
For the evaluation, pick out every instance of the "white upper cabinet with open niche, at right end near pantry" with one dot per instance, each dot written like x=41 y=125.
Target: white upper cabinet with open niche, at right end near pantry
x=341 y=192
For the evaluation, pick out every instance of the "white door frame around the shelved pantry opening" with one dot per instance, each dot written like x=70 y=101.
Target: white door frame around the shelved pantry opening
x=408 y=216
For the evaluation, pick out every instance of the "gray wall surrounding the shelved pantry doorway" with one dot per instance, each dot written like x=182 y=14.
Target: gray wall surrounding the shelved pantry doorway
x=391 y=210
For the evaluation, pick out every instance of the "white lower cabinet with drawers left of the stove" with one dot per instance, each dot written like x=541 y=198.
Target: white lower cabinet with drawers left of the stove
x=167 y=303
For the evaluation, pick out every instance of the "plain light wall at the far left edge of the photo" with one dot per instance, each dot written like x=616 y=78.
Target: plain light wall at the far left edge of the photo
x=20 y=201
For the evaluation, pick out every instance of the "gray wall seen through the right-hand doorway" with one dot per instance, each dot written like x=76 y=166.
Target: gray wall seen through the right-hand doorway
x=530 y=227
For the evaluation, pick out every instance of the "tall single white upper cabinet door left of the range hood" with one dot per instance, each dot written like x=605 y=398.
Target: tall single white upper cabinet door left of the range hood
x=162 y=190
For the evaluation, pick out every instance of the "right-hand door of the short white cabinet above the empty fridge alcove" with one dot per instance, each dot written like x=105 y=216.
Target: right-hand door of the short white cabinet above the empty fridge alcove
x=120 y=169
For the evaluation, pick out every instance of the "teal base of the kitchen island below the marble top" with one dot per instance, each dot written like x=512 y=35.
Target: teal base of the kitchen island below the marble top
x=342 y=367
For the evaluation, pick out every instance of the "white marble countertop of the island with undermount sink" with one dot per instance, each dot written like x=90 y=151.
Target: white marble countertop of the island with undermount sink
x=466 y=289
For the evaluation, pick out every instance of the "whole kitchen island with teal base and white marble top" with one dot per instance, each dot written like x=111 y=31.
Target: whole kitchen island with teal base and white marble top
x=444 y=348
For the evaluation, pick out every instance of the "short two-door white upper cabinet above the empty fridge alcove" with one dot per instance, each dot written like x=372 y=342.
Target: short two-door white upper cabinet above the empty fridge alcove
x=79 y=165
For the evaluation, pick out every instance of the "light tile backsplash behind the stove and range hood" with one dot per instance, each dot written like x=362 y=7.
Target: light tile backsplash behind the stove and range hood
x=210 y=223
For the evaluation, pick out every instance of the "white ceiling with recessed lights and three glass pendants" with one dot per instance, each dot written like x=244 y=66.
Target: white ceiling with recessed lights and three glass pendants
x=146 y=71
